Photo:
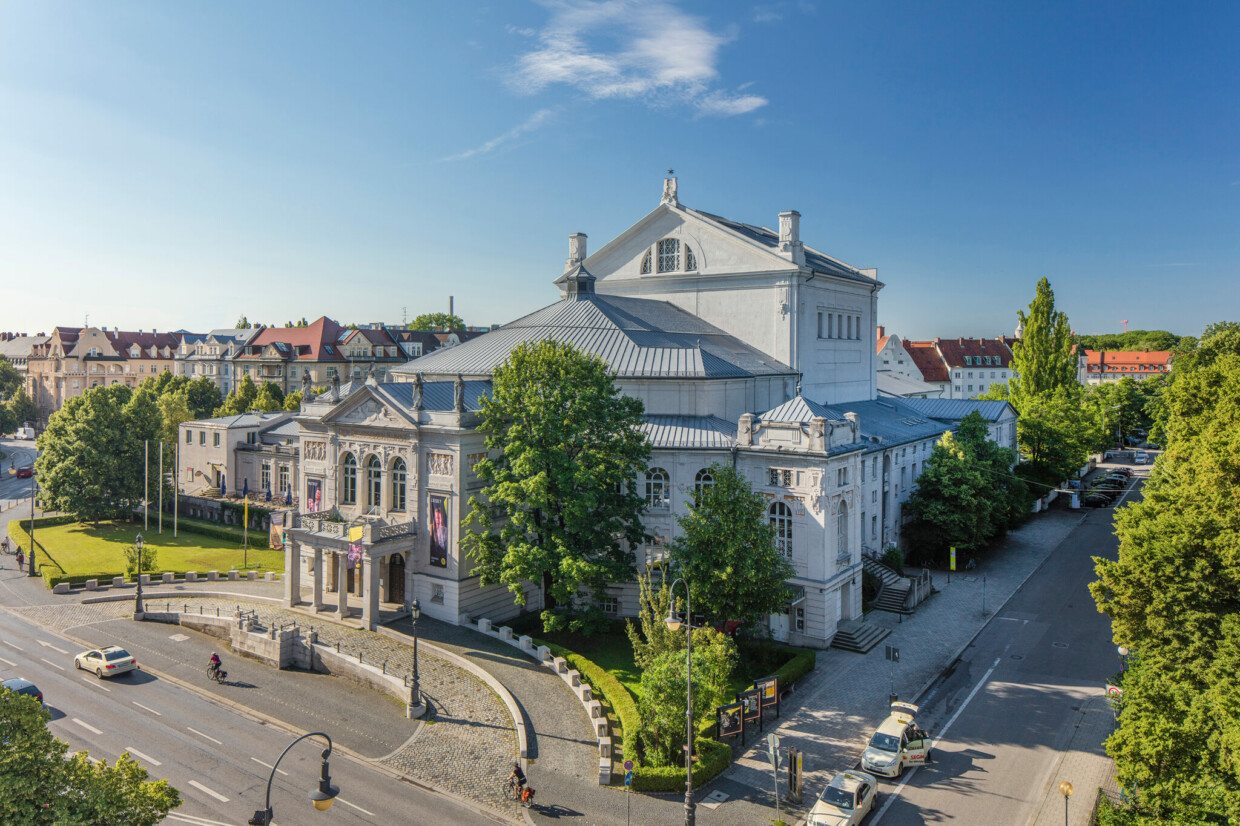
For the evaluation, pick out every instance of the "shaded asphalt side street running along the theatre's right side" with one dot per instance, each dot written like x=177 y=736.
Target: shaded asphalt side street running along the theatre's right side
x=1011 y=705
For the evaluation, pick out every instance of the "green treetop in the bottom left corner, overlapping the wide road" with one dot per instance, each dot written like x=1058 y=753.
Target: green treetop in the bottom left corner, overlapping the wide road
x=40 y=787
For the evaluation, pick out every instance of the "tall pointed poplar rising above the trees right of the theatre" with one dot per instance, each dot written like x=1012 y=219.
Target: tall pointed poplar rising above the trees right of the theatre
x=1042 y=358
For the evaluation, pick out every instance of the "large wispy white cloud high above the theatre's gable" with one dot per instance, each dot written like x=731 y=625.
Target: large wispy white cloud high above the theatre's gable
x=632 y=49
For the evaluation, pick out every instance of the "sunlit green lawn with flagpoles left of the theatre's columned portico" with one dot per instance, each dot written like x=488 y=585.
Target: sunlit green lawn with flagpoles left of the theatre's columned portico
x=86 y=553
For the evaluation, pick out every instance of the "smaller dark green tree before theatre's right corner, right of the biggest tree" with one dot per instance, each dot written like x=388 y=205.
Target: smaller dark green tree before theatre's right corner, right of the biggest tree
x=727 y=553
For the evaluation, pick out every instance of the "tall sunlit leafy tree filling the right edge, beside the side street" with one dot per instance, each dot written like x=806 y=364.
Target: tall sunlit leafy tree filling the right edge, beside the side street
x=1172 y=597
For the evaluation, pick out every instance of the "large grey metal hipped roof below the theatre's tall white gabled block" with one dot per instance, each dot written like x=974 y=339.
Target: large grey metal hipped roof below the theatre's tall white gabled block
x=637 y=338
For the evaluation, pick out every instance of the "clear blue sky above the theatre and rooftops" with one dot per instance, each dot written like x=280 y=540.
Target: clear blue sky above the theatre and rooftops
x=177 y=166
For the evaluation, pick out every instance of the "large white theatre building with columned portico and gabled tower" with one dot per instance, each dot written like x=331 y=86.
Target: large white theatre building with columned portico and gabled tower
x=746 y=347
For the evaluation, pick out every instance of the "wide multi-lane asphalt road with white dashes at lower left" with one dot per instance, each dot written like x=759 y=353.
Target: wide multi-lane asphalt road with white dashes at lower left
x=218 y=758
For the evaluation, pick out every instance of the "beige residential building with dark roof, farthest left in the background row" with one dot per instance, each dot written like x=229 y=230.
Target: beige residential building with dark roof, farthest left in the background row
x=77 y=359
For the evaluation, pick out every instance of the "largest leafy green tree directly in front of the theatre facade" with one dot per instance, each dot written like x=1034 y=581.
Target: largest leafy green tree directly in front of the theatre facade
x=560 y=503
